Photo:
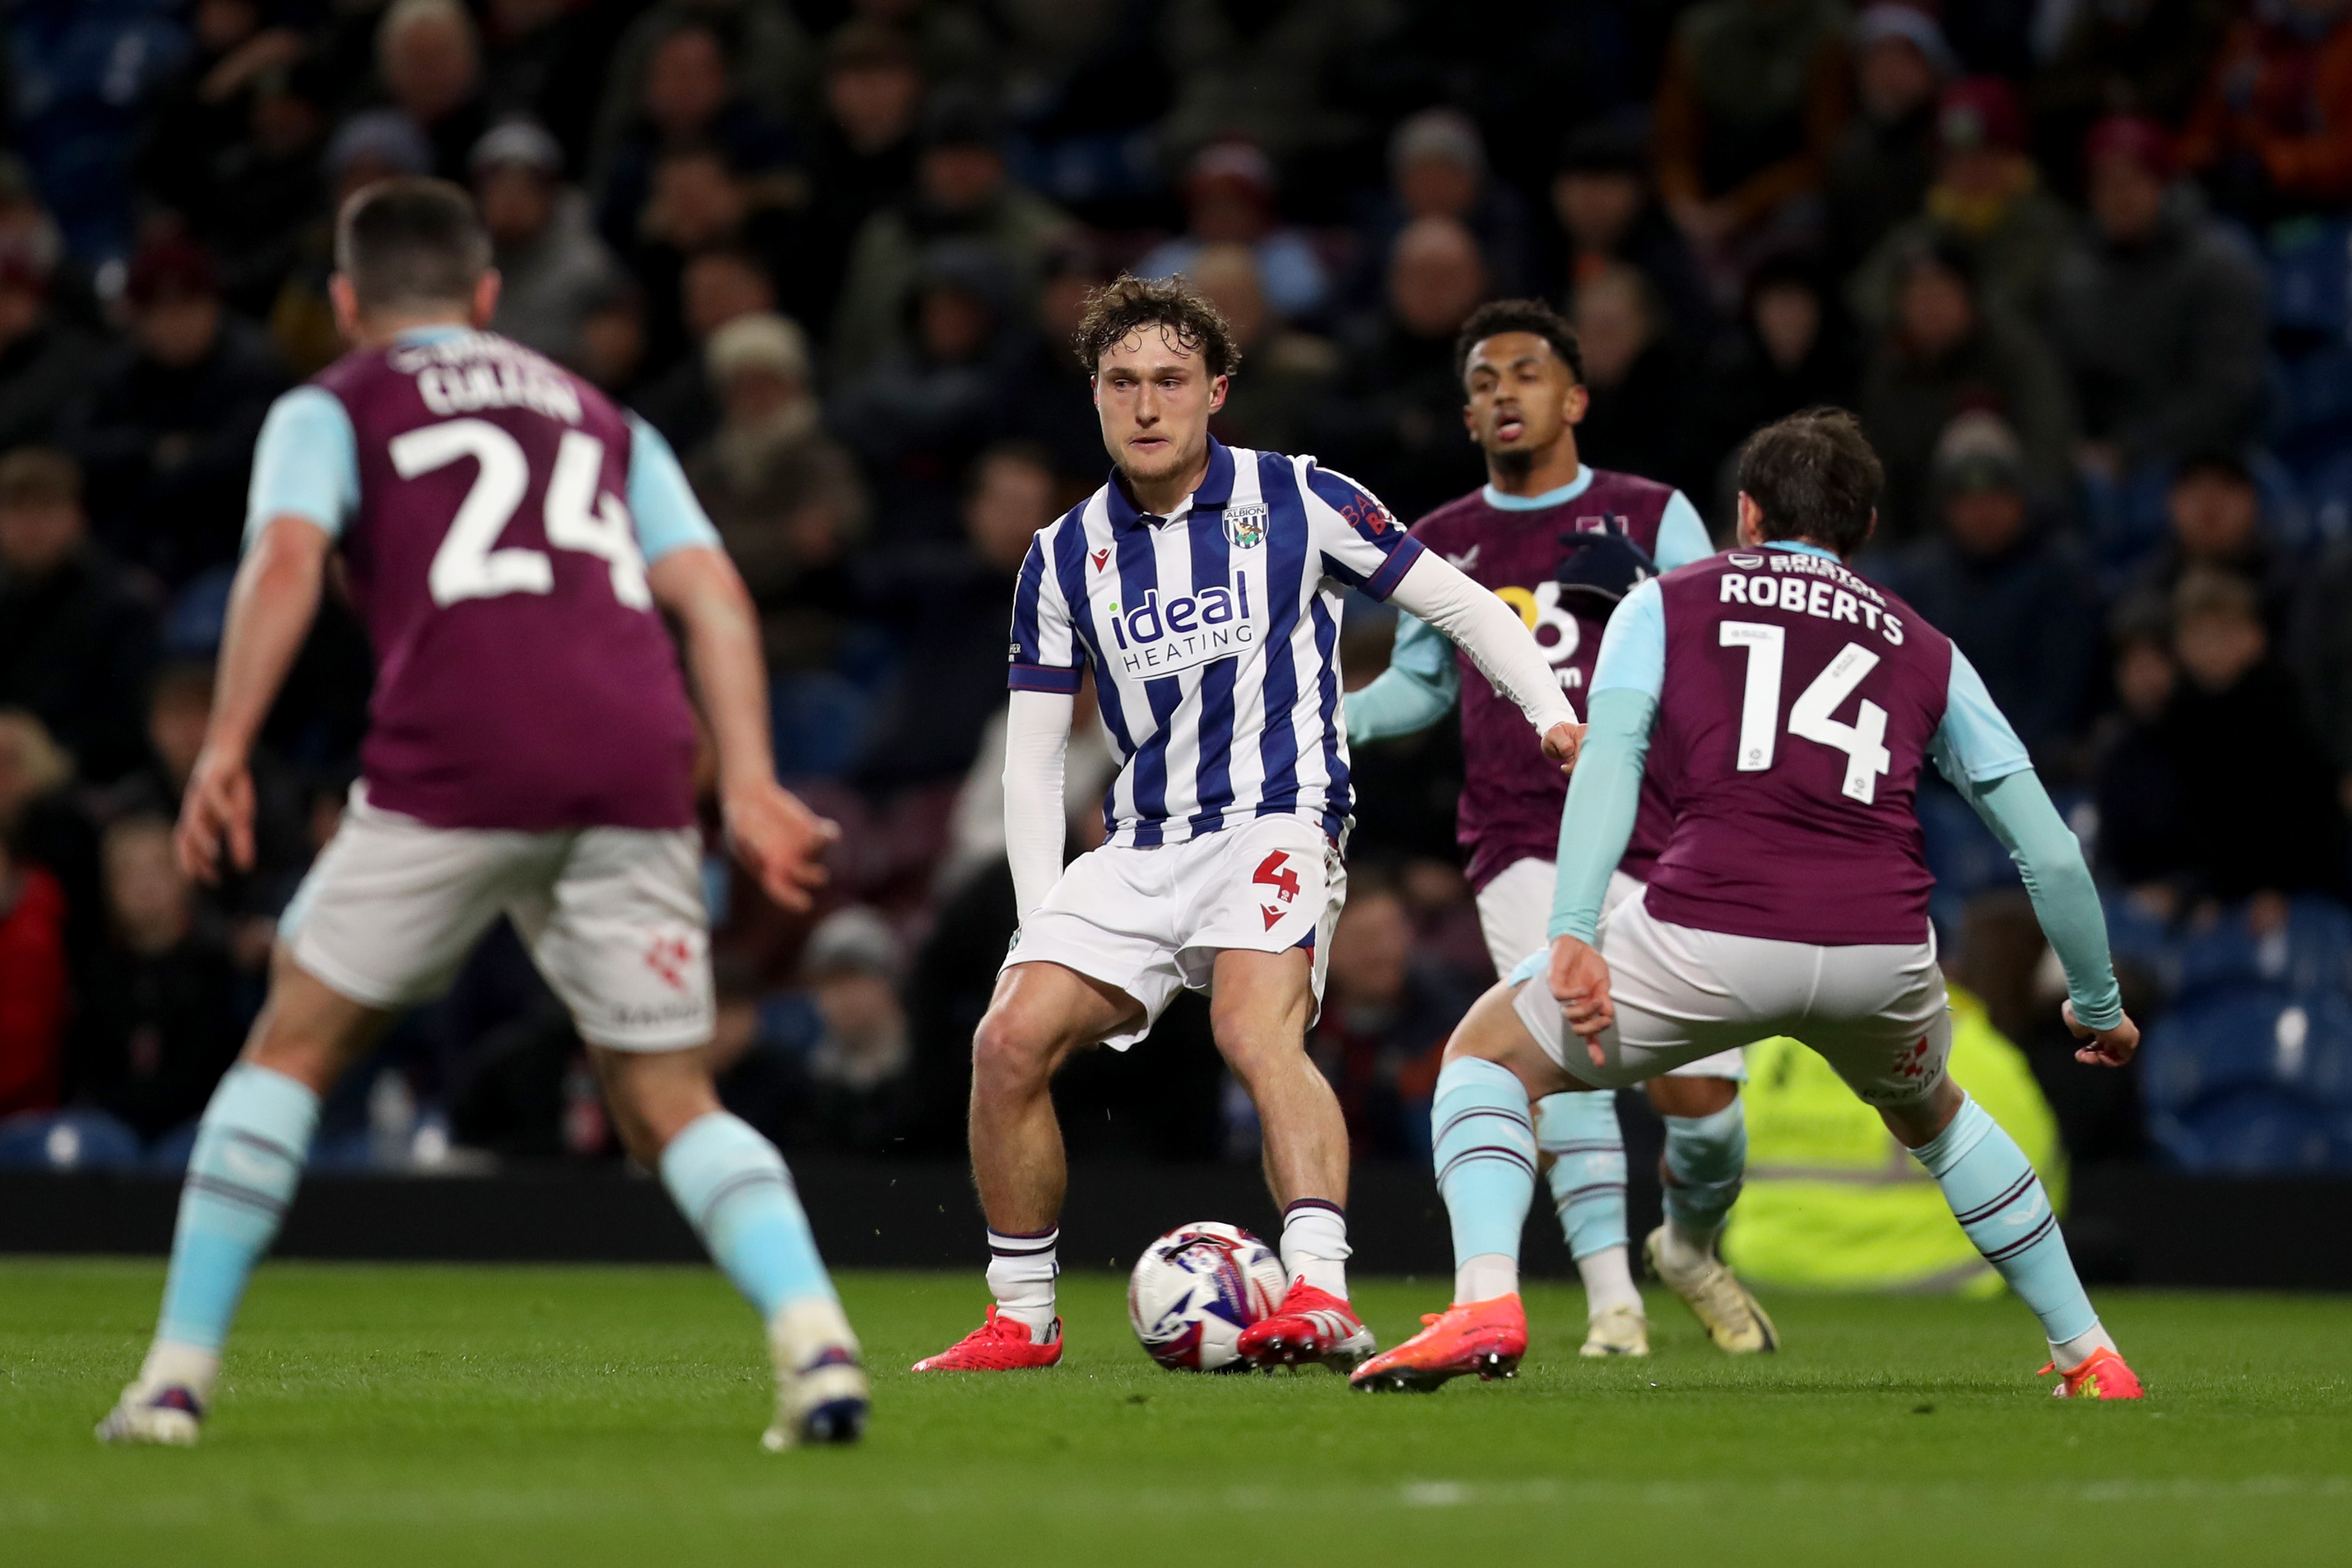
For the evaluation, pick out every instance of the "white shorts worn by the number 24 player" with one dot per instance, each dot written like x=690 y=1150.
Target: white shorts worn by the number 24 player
x=613 y=916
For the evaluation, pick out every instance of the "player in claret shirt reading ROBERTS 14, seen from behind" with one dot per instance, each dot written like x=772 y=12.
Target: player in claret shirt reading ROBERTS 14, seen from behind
x=1793 y=709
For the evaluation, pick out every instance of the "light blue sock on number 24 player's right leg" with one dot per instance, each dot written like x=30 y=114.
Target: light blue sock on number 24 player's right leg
x=735 y=1191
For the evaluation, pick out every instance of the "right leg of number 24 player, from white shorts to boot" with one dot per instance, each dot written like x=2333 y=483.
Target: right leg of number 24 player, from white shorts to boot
x=617 y=925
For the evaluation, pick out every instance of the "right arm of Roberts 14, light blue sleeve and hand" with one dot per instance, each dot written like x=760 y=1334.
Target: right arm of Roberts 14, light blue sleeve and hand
x=1984 y=758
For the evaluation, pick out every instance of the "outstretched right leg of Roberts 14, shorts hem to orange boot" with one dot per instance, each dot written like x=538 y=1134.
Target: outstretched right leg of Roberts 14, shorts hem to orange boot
x=1897 y=1059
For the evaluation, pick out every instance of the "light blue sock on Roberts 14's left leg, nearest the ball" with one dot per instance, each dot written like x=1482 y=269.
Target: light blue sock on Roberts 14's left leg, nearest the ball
x=1485 y=1170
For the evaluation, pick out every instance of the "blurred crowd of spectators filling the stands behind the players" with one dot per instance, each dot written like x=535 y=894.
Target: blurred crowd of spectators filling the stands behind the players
x=2080 y=264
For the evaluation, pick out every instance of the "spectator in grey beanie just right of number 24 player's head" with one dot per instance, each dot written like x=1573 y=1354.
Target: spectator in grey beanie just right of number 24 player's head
x=552 y=267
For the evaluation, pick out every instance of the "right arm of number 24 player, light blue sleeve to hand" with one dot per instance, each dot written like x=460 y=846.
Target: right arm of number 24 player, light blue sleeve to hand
x=777 y=838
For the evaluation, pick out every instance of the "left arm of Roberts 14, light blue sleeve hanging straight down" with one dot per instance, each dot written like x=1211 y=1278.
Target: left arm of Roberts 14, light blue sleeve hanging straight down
x=1603 y=803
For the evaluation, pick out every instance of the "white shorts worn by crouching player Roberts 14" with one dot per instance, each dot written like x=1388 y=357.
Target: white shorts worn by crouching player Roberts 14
x=1876 y=1014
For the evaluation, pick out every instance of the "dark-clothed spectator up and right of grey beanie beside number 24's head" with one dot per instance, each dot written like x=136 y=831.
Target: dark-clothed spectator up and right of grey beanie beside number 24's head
x=690 y=102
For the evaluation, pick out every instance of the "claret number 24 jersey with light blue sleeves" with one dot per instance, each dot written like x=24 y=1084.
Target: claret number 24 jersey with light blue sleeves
x=497 y=518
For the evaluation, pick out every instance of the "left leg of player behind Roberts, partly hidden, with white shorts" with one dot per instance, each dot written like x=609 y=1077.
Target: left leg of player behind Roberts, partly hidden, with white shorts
x=1577 y=1134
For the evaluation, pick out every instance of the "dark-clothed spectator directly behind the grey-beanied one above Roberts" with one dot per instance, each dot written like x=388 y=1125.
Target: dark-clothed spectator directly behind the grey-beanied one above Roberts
x=1944 y=356
